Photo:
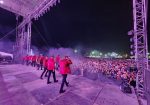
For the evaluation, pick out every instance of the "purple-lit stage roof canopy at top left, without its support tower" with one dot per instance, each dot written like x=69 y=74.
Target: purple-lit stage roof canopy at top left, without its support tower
x=26 y=7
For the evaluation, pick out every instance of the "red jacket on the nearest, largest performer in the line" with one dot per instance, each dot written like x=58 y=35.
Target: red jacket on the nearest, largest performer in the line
x=65 y=66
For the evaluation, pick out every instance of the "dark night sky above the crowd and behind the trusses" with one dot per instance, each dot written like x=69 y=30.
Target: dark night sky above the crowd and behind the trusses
x=88 y=24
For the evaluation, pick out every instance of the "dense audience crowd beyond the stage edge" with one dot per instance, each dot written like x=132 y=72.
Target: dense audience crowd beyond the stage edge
x=119 y=69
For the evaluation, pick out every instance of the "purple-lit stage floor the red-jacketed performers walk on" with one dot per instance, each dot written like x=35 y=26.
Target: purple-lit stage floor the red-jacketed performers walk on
x=21 y=85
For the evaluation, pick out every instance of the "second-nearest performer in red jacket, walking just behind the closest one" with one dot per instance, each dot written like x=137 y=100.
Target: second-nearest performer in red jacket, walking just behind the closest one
x=51 y=69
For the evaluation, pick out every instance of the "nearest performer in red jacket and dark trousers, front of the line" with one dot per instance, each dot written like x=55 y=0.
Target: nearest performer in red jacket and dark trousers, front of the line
x=64 y=70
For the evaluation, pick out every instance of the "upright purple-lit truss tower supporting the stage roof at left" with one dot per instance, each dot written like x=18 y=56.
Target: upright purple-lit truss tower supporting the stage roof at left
x=23 y=41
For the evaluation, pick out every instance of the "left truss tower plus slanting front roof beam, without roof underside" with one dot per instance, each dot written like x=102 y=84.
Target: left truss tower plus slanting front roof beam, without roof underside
x=23 y=37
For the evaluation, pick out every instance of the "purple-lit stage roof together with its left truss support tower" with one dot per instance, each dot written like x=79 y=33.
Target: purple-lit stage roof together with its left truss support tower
x=28 y=9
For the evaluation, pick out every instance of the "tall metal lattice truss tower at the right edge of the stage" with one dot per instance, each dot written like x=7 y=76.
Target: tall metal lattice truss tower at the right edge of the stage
x=140 y=42
